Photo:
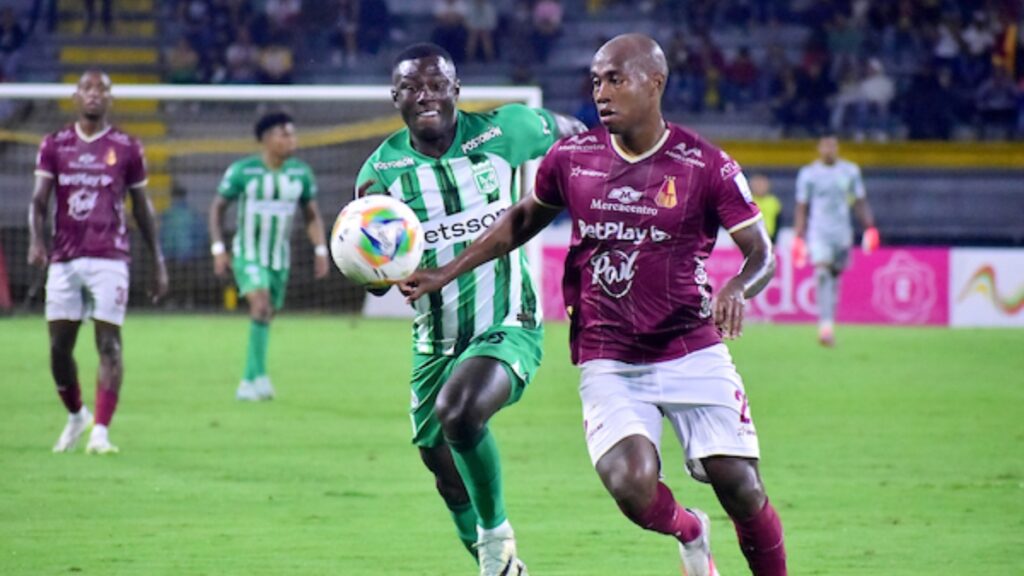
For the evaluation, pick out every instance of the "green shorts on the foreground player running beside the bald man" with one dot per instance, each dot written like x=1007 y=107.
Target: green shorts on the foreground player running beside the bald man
x=519 y=350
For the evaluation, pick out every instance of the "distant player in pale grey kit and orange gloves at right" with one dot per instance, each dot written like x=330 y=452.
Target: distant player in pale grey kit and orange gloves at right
x=825 y=191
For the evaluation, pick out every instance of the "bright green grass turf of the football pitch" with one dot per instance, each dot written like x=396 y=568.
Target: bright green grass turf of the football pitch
x=900 y=452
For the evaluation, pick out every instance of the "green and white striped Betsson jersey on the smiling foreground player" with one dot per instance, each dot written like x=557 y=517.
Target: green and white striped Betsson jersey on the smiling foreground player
x=457 y=197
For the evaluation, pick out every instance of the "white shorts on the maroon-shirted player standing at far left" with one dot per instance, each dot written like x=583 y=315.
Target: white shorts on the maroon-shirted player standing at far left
x=88 y=287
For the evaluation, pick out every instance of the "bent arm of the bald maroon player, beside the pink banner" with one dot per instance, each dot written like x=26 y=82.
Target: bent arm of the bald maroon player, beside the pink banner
x=758 y=269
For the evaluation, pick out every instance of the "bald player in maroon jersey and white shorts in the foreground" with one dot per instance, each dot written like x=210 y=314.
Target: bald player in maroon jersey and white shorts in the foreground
x=647 y=199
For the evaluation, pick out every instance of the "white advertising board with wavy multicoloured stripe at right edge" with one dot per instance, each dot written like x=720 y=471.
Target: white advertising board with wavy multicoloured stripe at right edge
x=987 y=287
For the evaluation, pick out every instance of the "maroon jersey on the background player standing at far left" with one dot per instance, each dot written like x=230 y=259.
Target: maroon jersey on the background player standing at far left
x=92 y=176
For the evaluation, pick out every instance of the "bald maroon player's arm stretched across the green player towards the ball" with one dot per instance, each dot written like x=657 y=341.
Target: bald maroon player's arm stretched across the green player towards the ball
x=513 y=230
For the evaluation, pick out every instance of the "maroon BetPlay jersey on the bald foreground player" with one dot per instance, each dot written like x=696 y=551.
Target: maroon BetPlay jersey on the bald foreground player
x=643 y=228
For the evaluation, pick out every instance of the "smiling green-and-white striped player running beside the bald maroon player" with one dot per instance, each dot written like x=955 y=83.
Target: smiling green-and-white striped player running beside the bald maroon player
x=478 y=344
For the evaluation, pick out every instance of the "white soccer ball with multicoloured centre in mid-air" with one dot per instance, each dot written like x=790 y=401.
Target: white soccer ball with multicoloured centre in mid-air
x=377 y=240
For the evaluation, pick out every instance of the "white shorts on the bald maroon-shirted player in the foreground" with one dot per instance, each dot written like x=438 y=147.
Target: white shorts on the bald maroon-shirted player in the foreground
x=701 y=394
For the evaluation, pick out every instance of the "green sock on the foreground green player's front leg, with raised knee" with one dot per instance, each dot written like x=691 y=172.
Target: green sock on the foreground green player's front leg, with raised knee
x=482 y=472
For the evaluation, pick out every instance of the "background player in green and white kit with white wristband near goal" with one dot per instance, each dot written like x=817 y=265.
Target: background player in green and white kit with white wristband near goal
x=268 y=188
